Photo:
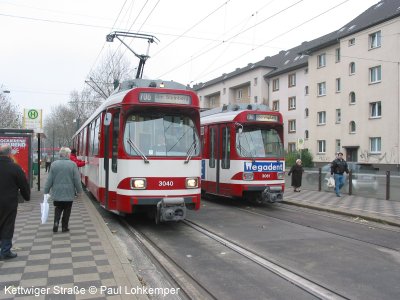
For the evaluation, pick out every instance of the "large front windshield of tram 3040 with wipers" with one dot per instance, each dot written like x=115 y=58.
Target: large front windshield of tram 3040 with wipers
x=155 y=135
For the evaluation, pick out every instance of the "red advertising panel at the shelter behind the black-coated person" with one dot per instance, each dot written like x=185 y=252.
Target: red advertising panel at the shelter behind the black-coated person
x=19 y=152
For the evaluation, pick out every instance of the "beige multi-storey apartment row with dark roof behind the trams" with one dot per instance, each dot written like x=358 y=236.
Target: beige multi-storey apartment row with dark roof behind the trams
x=339 y=92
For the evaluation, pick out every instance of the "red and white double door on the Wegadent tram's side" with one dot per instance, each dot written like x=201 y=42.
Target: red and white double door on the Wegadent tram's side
x=219 y=162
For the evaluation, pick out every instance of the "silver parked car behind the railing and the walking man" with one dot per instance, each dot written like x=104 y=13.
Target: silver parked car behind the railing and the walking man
x=363 y=177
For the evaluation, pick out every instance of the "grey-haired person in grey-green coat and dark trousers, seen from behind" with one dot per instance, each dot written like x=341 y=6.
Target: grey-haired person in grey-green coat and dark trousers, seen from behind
x=63 y=183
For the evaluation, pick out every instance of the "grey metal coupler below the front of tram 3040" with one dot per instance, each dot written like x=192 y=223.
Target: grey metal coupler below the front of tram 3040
x=171 y=209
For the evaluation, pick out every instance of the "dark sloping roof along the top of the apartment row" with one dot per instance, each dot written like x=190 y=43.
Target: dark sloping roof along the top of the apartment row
x=295 y=58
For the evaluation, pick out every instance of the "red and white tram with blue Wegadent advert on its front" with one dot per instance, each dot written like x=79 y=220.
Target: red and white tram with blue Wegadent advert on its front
x=243 y=155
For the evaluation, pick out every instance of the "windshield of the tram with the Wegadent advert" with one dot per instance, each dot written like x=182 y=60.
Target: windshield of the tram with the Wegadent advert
x=258 y=142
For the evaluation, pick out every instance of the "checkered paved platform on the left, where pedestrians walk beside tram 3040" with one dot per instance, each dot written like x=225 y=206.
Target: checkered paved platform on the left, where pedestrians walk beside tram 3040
x=84 y=263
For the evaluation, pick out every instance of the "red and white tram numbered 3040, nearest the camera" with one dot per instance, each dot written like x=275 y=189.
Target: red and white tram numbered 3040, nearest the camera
x=143 y=150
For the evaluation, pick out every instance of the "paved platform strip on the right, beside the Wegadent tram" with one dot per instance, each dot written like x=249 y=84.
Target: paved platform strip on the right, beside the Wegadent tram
x=383 y=211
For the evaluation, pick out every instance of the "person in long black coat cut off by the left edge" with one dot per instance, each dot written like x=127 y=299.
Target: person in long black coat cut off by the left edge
x=12 y=180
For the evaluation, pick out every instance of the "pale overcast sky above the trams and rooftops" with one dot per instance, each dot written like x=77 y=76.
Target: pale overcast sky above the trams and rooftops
x=48 y=47
